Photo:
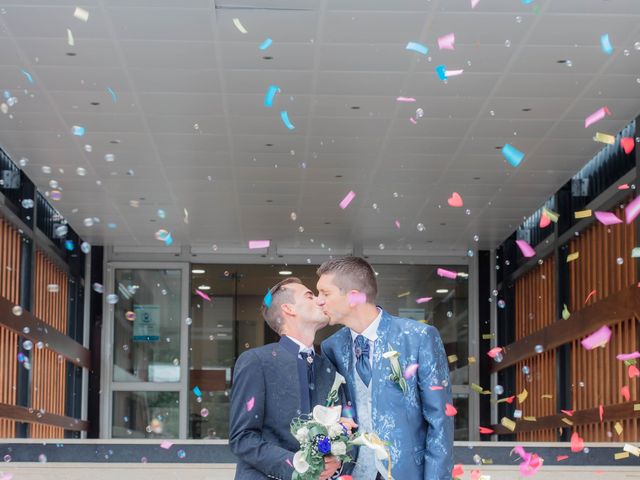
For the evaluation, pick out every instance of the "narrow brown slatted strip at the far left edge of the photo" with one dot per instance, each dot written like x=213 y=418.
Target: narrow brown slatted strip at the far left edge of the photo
x=10 y=245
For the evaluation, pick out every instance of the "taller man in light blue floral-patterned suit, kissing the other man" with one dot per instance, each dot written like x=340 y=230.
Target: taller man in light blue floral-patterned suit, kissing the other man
x=407 y=411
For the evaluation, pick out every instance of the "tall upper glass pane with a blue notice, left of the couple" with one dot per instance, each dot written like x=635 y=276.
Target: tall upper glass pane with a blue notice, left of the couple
x=147 y=326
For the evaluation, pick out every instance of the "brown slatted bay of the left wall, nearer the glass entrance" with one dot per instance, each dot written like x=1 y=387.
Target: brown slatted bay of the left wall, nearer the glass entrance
x=49 y=370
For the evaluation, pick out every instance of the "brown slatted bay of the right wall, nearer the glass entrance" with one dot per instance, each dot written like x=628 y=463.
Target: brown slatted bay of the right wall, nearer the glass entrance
x=536 y=309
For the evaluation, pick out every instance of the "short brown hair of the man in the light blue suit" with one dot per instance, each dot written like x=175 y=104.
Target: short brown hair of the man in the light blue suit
x=352 y=273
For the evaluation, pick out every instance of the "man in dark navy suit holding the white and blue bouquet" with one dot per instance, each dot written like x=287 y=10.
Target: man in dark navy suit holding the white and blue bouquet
x=277 y=382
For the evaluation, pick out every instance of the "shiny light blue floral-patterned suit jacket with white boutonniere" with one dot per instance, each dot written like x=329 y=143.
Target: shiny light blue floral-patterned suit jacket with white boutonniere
x=419 y=434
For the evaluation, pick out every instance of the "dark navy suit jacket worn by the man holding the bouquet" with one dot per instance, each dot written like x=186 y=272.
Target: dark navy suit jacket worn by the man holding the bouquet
x=265 y=397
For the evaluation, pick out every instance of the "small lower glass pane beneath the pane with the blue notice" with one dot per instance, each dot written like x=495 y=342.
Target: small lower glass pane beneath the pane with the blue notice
x=145 y=414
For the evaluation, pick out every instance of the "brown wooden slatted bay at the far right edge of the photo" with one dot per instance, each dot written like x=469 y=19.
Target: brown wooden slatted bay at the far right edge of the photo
x=597 y=375
